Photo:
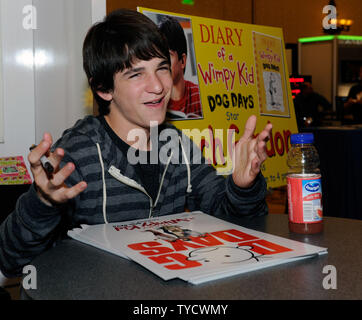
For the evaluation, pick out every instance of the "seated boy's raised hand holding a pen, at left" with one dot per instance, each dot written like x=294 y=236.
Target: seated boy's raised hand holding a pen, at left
x=51 y=188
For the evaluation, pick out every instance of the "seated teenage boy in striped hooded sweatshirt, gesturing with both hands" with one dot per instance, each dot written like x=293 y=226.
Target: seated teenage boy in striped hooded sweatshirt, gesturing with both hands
x=127 y=62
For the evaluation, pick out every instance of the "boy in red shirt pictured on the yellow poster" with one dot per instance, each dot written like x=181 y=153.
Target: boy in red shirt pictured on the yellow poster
x=185 y=96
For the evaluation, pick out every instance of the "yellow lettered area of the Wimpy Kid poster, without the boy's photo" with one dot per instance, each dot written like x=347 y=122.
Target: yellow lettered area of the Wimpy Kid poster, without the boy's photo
x=241 y=70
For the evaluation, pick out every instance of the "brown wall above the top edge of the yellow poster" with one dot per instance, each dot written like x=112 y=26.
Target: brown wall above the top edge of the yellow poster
x=297 y=18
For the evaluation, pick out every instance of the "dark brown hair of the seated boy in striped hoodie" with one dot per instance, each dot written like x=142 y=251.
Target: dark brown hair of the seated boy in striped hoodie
x=115 y=44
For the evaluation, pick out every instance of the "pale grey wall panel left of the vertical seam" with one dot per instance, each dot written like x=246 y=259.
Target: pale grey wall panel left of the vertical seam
x=17 y=80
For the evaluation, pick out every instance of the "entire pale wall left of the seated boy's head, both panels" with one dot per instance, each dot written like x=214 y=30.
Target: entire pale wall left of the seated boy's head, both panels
x=44 y=85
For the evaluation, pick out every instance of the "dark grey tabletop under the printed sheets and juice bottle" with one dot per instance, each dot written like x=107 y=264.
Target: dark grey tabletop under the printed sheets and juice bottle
x=73 y=270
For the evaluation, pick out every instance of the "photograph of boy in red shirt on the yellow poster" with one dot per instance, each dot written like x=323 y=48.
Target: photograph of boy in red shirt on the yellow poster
x=185 y=102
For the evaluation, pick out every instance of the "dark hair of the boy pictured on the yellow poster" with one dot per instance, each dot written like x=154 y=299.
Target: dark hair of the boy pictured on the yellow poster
x=174 y=34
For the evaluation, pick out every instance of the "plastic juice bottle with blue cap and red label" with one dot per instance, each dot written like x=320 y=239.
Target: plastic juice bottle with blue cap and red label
x=304 y=186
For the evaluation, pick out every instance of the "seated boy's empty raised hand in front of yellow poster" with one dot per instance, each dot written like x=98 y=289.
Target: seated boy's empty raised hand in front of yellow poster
x=250 y=153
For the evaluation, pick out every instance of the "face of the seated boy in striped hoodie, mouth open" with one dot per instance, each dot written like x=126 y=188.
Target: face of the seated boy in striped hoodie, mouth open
x=141 y=93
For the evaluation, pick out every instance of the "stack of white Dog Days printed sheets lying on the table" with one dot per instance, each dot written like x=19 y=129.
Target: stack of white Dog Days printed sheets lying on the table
x=193 y=246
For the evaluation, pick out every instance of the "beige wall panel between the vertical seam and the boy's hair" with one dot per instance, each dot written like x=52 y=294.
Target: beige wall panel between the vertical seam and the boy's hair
x=60 y=83
